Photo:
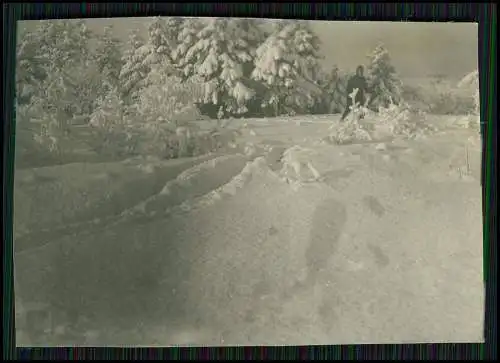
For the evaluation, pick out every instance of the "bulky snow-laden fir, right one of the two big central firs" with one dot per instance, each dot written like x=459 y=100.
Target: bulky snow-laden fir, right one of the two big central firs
x=286 y=63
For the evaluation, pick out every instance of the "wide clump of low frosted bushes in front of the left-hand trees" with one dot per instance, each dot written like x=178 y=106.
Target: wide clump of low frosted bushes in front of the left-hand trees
x=162 y=123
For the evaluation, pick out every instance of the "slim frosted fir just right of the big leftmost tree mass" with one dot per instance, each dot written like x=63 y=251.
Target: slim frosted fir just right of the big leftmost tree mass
x=108 y=58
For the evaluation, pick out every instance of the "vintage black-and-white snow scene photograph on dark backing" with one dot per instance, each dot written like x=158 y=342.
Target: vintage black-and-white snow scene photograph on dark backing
x=234 y=181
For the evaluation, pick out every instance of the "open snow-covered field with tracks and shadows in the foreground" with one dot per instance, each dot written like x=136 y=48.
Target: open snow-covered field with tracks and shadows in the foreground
x=287 y=241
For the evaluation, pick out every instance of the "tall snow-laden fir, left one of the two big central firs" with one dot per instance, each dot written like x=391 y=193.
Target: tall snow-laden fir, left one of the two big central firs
x=218 y=58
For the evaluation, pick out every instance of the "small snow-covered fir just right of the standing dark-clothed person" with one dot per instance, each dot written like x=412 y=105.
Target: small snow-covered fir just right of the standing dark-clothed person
x=382 y=79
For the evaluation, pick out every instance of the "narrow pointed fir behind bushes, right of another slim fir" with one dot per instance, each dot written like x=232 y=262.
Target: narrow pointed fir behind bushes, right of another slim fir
x=135 y=67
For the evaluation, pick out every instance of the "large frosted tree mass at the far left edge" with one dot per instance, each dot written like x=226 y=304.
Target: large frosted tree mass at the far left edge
x=68 y=86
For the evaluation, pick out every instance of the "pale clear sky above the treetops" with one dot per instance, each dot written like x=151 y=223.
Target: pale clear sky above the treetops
x=417 y=49
